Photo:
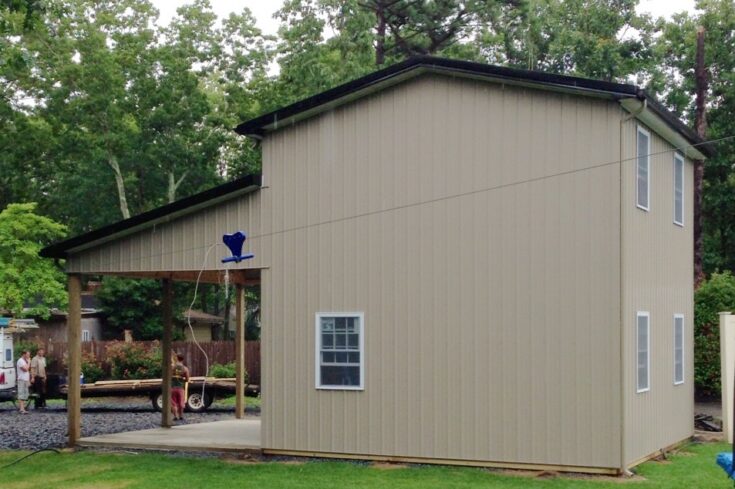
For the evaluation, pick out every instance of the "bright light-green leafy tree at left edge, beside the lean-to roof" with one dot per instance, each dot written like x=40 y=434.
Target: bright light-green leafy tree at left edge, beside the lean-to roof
x=29 y=284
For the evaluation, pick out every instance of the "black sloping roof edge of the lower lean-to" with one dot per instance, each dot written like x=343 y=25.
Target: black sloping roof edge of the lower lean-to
x=59 y=249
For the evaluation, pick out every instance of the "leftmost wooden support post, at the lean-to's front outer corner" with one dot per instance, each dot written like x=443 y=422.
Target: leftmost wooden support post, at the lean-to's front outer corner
x=74 y=337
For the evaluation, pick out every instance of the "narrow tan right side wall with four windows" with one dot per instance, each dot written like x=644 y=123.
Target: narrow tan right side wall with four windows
x=657 y=277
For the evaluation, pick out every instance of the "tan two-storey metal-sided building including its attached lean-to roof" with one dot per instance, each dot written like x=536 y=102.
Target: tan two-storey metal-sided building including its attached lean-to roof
x=459 y=263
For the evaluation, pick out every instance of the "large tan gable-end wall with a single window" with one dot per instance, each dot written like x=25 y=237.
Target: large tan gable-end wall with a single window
x=490 y=292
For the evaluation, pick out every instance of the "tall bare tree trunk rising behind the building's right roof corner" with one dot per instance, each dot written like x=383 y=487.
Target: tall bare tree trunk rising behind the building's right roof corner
x=700 y=122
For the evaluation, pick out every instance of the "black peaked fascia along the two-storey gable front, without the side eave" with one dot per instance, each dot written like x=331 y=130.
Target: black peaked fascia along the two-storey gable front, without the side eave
x=256 y=126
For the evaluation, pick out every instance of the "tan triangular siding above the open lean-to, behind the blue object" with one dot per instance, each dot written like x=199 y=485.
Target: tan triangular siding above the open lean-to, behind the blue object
x=180 y=244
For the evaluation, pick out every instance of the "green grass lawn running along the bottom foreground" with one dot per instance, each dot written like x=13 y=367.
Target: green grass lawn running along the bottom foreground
x=693 y=468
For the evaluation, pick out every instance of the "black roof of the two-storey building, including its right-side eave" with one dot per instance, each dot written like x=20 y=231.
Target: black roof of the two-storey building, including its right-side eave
x=416 y=66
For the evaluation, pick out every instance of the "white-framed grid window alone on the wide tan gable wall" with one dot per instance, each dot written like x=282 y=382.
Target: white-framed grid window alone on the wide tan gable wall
x=340 y=352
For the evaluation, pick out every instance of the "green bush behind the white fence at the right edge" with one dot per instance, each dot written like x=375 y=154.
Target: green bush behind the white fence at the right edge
x=714 y=296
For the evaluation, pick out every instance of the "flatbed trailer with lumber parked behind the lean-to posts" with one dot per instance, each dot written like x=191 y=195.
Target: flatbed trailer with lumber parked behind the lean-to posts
x=201 y=391
